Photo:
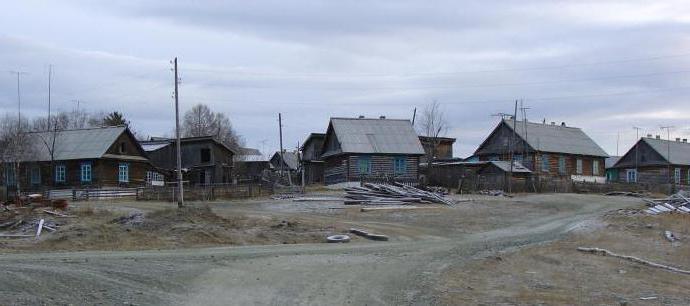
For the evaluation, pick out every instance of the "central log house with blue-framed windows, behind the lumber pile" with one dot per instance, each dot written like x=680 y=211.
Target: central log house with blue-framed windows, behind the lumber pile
x=357 y=148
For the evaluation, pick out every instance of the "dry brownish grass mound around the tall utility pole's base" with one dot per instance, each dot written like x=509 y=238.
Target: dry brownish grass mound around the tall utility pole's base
x=102 y=229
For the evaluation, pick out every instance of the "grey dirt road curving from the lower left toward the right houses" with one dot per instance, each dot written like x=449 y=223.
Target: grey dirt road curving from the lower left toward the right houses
x=362 y=273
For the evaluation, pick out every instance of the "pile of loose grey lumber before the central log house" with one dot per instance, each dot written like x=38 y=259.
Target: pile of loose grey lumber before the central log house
x=391 y=194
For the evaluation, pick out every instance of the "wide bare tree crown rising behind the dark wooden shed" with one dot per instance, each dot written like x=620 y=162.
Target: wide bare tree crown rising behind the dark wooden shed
x=202 y=121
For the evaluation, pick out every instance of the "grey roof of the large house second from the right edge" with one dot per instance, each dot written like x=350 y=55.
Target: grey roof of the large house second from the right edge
x=557 y=138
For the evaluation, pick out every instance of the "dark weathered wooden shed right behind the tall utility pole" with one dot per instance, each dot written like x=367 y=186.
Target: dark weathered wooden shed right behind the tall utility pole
x=205 y=160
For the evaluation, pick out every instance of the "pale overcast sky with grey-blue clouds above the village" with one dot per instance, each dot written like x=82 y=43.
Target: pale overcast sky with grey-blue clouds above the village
x=604 y=66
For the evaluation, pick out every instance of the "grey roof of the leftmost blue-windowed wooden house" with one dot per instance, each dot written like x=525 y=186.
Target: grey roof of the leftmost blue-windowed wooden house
x=75 y=144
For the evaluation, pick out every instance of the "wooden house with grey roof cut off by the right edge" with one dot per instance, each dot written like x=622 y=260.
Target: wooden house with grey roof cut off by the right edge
x=655 y=161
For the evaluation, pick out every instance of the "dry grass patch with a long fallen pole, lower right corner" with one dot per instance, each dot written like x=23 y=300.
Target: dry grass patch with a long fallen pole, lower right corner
x=556 y=274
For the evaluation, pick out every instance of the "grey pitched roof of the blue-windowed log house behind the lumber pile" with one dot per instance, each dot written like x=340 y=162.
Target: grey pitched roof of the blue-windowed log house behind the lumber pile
x=375 y=136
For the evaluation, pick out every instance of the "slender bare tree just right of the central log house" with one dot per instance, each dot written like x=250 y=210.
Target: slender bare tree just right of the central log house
x=433 y=124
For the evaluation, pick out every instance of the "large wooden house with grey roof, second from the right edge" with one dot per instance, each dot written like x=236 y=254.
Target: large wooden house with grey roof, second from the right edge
x=546 y=149
